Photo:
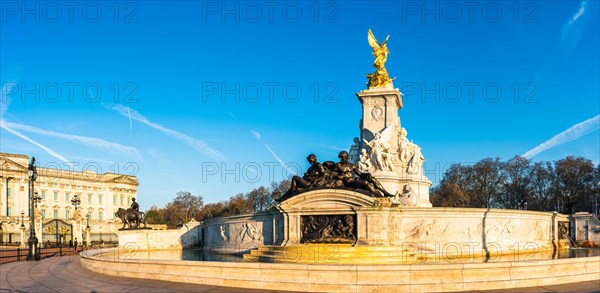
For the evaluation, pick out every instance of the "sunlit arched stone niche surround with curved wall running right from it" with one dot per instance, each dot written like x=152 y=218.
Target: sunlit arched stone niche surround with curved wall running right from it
x=452 y=230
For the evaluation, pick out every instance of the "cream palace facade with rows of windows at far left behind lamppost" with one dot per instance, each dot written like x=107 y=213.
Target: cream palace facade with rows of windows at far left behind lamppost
x=100 y=196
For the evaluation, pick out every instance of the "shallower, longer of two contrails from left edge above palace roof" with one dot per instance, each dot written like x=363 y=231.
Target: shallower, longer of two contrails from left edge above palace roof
x=90 y=141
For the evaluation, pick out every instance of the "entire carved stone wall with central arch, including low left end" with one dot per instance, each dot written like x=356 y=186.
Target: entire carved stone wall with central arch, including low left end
x=375 y=222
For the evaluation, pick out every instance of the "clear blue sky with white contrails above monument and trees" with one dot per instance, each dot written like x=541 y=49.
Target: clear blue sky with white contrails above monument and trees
x=213 y=97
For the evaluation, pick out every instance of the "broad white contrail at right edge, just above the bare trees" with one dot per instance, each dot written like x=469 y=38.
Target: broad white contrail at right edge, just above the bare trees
x=574 y=132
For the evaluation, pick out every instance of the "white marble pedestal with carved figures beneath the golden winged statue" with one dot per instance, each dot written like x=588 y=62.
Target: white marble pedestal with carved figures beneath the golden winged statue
x=402 y=170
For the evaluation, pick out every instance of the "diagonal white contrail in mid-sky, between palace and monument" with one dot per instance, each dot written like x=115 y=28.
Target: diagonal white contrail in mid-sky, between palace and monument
x=197 y=144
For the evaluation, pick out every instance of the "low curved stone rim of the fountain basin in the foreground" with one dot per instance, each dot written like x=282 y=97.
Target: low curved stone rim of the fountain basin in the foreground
x=353 y=278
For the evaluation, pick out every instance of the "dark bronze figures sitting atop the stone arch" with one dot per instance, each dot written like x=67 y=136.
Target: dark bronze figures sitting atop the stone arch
x=330 y=175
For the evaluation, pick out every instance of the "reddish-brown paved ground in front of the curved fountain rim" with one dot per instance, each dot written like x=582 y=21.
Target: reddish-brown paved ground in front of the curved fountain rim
x=65 y=274
